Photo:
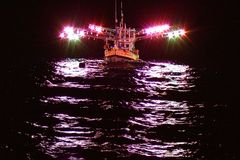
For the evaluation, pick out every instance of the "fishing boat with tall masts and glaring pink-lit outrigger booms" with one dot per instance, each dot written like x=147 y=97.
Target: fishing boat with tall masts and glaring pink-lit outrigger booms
x=120 y=41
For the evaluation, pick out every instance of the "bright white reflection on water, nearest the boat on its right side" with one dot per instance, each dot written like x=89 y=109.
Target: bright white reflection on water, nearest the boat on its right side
x=164 y=77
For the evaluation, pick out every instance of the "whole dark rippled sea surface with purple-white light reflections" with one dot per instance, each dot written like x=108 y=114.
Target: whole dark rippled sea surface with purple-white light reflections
x=53 y=109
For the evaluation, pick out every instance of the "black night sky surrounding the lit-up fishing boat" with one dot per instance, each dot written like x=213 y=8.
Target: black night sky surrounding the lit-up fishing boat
x=32 y=27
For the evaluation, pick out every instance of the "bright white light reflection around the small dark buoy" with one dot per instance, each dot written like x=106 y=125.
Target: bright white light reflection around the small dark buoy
x=68 y=74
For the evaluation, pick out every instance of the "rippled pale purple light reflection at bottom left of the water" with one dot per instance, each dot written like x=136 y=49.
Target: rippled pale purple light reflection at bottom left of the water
x=68 y=134
